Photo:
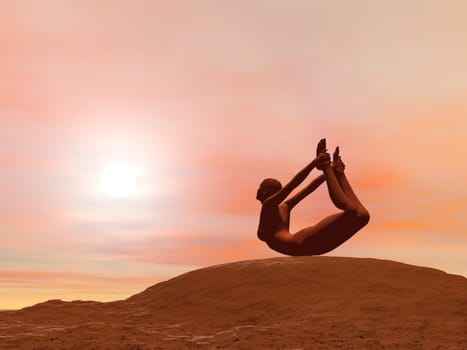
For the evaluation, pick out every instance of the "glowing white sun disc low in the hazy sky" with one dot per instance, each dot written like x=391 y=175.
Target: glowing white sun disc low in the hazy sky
x=118 y=180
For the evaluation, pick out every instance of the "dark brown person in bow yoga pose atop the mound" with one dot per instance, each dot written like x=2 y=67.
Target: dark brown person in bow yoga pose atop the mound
x=327 y=234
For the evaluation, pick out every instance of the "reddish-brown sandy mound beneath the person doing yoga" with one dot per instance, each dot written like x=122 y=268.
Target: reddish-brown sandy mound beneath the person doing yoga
x=279 y=303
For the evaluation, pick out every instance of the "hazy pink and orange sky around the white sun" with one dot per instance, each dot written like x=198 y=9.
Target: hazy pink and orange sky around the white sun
x=205 y=99
